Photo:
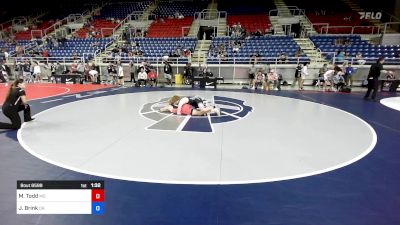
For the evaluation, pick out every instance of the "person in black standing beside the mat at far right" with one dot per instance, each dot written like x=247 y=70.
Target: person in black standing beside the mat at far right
x=373 y=78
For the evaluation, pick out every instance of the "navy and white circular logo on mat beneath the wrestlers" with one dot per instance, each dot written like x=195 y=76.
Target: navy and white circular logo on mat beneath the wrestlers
x=231 y=110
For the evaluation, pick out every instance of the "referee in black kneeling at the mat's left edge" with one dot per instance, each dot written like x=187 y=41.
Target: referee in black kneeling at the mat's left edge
x=15 y=102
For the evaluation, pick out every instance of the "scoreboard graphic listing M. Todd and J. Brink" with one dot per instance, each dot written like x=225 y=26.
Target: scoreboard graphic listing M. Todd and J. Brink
x=60 y=197
